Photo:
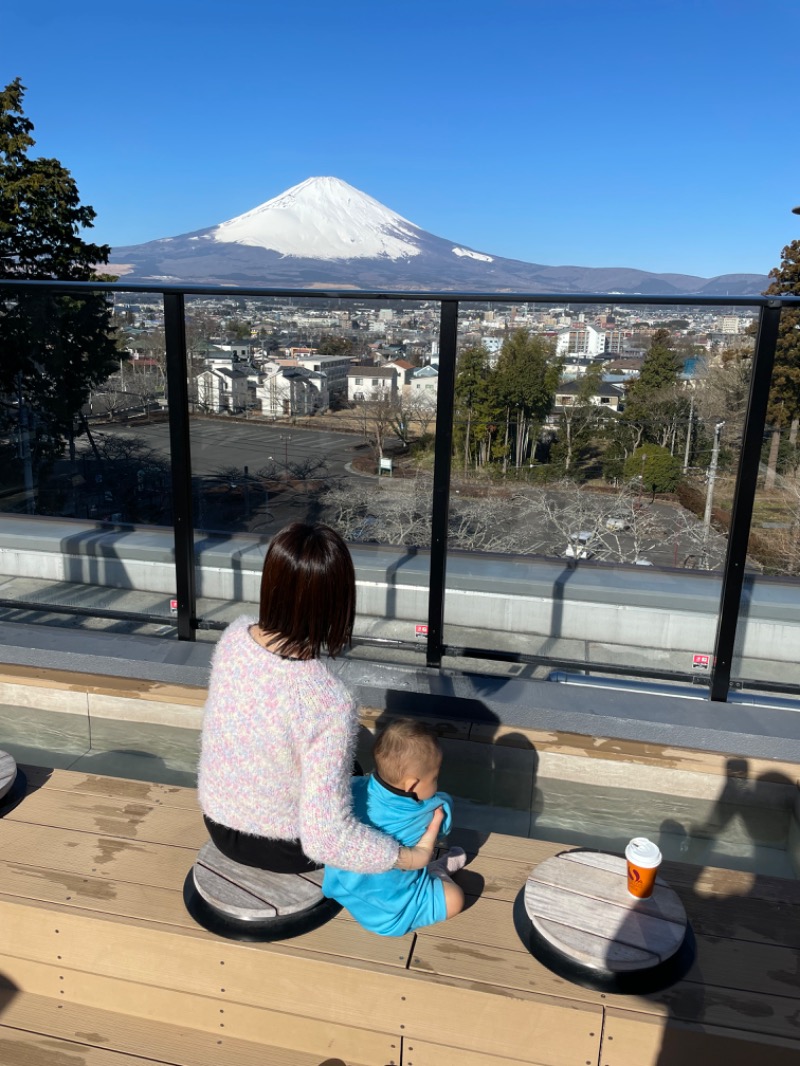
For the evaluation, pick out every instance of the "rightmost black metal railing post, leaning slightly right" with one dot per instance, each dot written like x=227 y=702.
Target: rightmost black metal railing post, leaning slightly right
x=742 y=512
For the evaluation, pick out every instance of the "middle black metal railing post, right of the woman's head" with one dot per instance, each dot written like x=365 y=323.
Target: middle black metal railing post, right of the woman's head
x=442 y=466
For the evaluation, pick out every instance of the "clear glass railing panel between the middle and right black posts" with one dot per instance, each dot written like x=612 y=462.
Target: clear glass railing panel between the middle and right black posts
x=589 y=481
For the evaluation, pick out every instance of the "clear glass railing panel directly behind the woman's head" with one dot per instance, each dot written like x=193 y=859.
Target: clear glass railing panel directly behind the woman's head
x=310 y=411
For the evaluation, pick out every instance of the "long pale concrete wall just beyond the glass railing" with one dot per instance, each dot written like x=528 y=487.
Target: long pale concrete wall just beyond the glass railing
x=638 y=608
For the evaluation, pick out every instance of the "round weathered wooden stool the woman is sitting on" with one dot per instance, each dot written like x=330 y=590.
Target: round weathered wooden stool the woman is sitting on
x=244 y=903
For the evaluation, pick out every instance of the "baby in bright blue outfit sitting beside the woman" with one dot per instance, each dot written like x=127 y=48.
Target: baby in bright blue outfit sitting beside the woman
x=399 y=798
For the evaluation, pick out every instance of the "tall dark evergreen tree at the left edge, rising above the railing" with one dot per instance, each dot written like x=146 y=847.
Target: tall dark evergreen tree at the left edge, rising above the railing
x=55 y=349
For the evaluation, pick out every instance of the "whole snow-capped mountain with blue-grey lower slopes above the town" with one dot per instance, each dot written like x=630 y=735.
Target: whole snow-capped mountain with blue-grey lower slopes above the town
x=324 y=234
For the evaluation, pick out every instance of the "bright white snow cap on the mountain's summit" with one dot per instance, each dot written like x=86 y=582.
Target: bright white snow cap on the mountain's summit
x=324 y=219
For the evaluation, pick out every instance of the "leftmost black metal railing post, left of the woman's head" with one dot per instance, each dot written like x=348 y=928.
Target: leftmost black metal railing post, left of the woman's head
x=181 y=462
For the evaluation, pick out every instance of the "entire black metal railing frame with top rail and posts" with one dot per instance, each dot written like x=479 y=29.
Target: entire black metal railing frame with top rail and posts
x=437 y=648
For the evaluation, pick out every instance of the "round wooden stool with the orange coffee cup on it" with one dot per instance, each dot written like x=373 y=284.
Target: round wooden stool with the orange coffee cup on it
x=582 y=923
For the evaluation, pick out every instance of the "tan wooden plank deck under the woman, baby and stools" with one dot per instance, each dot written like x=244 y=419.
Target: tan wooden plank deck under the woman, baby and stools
x=102 y=966
